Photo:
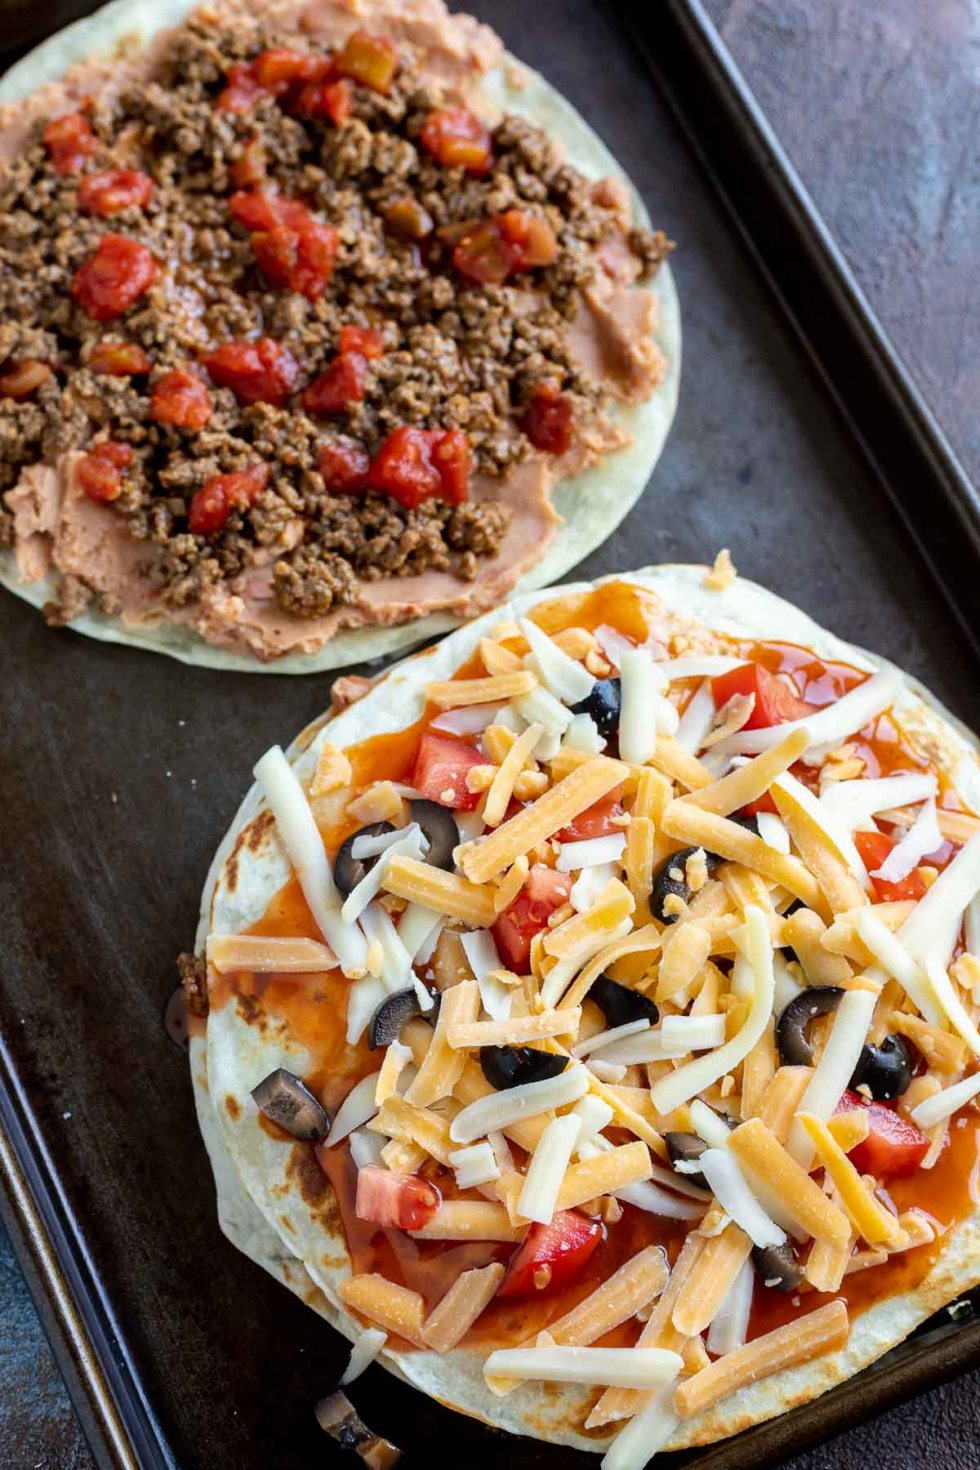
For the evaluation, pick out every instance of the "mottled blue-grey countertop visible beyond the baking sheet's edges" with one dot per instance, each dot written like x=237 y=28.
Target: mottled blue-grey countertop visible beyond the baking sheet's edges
x=881 y=114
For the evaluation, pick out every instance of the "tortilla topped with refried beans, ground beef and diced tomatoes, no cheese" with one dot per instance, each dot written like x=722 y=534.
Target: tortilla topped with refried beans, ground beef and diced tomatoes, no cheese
x=306 y=317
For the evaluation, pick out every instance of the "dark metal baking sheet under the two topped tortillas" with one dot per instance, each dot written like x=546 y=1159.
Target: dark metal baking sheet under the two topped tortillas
x=121 y=771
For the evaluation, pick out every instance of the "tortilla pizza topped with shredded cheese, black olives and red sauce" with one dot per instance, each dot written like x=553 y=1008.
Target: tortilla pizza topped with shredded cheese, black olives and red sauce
x=600 y=1030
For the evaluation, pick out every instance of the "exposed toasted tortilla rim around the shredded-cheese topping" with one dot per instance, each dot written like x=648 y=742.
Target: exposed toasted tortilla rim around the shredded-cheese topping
x=299 y=1211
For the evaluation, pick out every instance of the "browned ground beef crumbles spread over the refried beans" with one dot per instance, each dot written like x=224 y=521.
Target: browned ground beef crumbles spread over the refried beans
x=458 y=355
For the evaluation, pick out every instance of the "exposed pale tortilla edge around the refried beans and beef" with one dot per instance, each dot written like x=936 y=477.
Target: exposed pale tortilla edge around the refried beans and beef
x=593 y=503
